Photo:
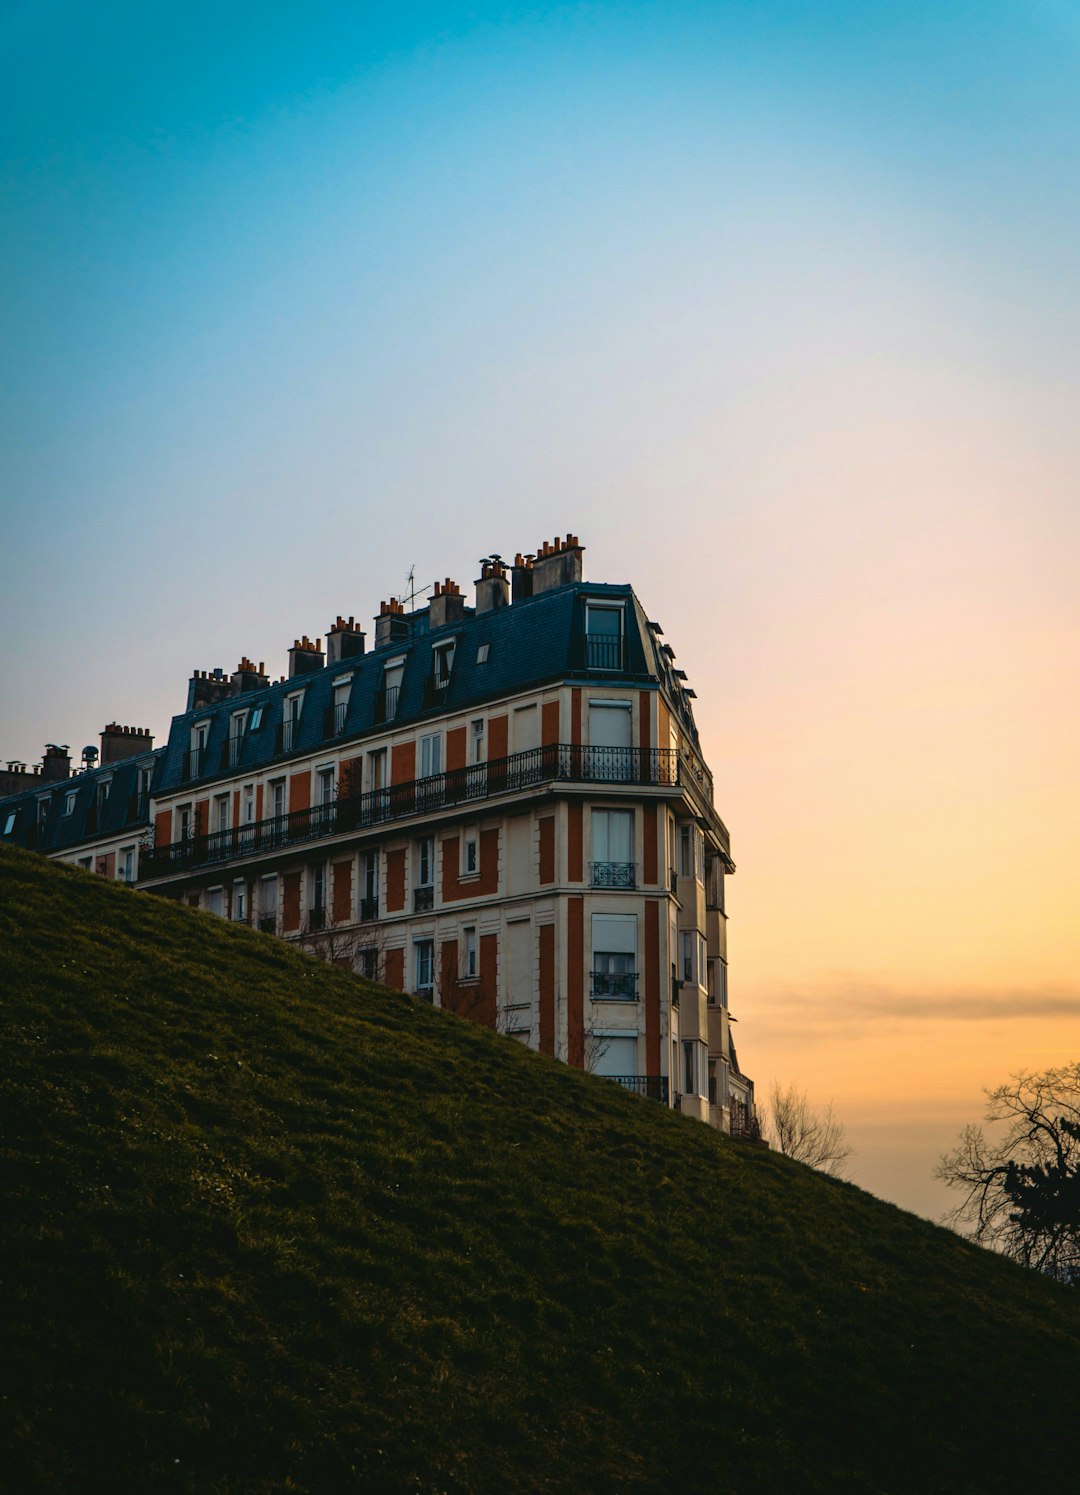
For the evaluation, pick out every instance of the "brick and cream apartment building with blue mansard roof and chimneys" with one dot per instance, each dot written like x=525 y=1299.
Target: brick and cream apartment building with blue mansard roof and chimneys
x=502 y=808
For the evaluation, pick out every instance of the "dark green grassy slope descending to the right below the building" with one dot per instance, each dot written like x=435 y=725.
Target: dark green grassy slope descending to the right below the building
x=271 y=1230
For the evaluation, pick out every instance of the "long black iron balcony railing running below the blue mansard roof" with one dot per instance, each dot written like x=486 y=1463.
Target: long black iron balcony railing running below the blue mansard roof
x=357 y=813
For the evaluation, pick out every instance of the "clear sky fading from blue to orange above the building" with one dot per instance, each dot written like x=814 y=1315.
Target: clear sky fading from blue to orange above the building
x=777 y=306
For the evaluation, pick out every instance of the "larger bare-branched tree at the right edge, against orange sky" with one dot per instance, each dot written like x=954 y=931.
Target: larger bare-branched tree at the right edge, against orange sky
x=1021 y=1189
